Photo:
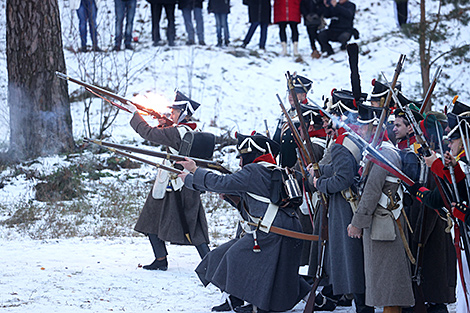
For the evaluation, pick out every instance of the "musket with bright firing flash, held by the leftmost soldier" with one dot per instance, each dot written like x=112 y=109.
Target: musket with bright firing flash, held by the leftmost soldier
x=100 y=91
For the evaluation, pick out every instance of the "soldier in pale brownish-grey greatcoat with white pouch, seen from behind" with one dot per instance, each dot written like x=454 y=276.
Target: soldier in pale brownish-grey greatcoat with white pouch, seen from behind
x=387 y=267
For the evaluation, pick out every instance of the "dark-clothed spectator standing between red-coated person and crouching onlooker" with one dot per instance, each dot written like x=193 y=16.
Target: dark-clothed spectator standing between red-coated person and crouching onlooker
x=312 y=11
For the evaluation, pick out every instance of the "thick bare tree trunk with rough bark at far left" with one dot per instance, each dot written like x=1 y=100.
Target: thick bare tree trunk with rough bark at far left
x=40 y=119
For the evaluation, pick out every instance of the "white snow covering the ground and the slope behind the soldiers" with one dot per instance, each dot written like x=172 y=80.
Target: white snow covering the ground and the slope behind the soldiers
x=237 y=88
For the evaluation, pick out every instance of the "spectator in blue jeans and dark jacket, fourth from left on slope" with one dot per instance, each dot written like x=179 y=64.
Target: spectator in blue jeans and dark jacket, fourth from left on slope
x=187 y=7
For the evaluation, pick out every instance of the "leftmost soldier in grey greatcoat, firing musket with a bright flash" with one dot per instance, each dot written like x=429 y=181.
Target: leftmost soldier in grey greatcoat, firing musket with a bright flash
x=172 y=212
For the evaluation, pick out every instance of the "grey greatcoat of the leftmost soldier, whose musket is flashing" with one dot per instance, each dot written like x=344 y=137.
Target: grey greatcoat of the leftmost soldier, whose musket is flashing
x=160 y=216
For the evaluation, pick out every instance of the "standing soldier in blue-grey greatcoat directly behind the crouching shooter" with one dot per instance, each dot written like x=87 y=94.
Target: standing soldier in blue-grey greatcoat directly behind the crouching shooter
x=345 y=259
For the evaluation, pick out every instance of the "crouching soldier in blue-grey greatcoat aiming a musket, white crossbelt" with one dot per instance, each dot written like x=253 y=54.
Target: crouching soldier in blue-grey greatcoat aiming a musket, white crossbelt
x=259 y=268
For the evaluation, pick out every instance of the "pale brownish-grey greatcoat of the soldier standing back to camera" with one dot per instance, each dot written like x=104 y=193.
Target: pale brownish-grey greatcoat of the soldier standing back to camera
x=387 y=267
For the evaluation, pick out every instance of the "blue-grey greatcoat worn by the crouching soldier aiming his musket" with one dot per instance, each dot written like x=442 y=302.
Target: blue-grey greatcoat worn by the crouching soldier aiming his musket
x=268 y=279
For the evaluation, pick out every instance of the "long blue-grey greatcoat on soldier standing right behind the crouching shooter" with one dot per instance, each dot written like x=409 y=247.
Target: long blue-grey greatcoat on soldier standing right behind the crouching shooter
x=345 y=260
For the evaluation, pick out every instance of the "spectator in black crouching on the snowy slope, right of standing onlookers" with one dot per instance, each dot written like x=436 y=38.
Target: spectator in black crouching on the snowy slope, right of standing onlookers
x=341 y=26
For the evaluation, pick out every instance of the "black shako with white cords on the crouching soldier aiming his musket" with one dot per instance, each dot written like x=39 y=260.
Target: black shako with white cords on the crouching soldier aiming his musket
x=257 y=144
